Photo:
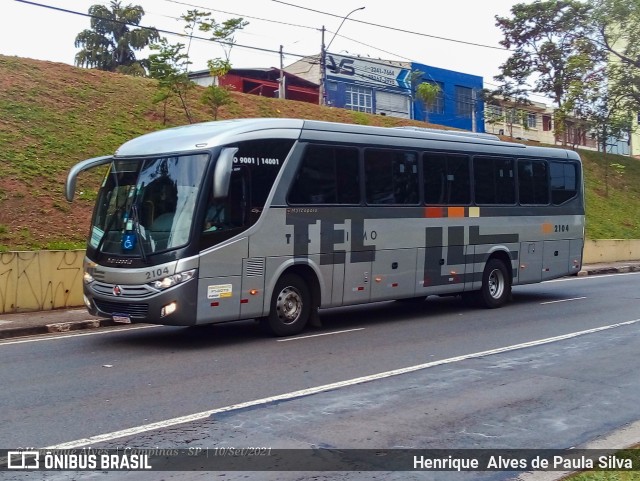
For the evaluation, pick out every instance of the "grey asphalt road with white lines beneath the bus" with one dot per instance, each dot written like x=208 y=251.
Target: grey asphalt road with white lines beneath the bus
x=555 y=368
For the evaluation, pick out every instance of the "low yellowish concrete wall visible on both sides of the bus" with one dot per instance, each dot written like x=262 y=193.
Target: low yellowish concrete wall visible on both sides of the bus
x=45 y=280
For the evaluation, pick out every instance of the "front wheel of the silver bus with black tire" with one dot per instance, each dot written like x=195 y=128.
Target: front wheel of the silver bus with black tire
x=290 y=307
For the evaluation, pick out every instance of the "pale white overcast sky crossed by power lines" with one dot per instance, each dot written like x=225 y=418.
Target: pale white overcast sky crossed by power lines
x=27 y=30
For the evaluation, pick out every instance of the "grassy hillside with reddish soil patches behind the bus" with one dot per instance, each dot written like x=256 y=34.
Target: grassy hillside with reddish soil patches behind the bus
x=54 y=115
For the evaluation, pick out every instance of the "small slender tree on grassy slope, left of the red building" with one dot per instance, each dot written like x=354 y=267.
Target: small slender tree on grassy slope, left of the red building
x=167 y=66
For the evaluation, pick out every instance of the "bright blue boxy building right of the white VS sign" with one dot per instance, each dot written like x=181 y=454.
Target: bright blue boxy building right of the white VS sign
x=459 y=103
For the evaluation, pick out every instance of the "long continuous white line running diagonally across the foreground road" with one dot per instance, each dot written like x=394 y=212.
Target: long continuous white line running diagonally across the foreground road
x=92 y=440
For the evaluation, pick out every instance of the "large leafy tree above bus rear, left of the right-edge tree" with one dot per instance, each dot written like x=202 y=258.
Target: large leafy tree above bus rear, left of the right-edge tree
x=553 y=43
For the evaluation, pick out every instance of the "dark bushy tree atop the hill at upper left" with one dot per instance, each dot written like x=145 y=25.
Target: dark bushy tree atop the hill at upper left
x=111 y=43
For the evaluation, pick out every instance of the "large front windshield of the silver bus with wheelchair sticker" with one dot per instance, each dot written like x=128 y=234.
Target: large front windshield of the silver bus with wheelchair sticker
x=147 y=205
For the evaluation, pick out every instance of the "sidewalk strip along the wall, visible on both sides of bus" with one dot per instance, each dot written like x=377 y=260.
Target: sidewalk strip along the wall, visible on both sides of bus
x=72 y=319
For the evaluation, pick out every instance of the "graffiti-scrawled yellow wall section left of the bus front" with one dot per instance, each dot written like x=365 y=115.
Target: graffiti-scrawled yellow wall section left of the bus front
x=40 y=280
